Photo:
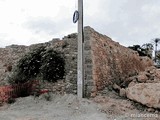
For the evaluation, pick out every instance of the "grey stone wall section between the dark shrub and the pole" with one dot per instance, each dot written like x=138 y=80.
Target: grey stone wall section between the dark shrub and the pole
x=68 y=46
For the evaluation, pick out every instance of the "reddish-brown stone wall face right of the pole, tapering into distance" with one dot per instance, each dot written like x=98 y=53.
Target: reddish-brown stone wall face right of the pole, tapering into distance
x=109 y=62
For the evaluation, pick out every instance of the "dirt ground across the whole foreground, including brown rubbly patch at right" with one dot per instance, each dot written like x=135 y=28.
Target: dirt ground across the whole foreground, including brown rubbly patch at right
x=69 y=107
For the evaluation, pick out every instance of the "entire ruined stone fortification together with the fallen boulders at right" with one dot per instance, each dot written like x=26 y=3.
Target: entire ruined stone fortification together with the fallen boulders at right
x=107 y=64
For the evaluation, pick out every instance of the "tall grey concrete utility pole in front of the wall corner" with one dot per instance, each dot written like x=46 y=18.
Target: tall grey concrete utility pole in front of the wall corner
x=80 y=69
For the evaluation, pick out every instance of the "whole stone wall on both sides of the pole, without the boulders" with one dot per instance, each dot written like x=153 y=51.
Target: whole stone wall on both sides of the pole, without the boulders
x=106 y=62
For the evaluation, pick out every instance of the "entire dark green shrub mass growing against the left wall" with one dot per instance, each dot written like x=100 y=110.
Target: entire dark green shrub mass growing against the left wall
x=39 y=62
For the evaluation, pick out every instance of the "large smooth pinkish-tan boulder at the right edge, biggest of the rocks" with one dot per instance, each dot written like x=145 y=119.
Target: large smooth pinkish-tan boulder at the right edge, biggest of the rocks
x=145 y=93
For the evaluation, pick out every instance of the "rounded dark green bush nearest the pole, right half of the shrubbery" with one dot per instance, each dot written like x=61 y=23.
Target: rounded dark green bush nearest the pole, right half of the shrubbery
x=52 y=68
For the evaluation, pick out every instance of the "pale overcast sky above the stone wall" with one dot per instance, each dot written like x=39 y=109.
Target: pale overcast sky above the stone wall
x=32 y=21
